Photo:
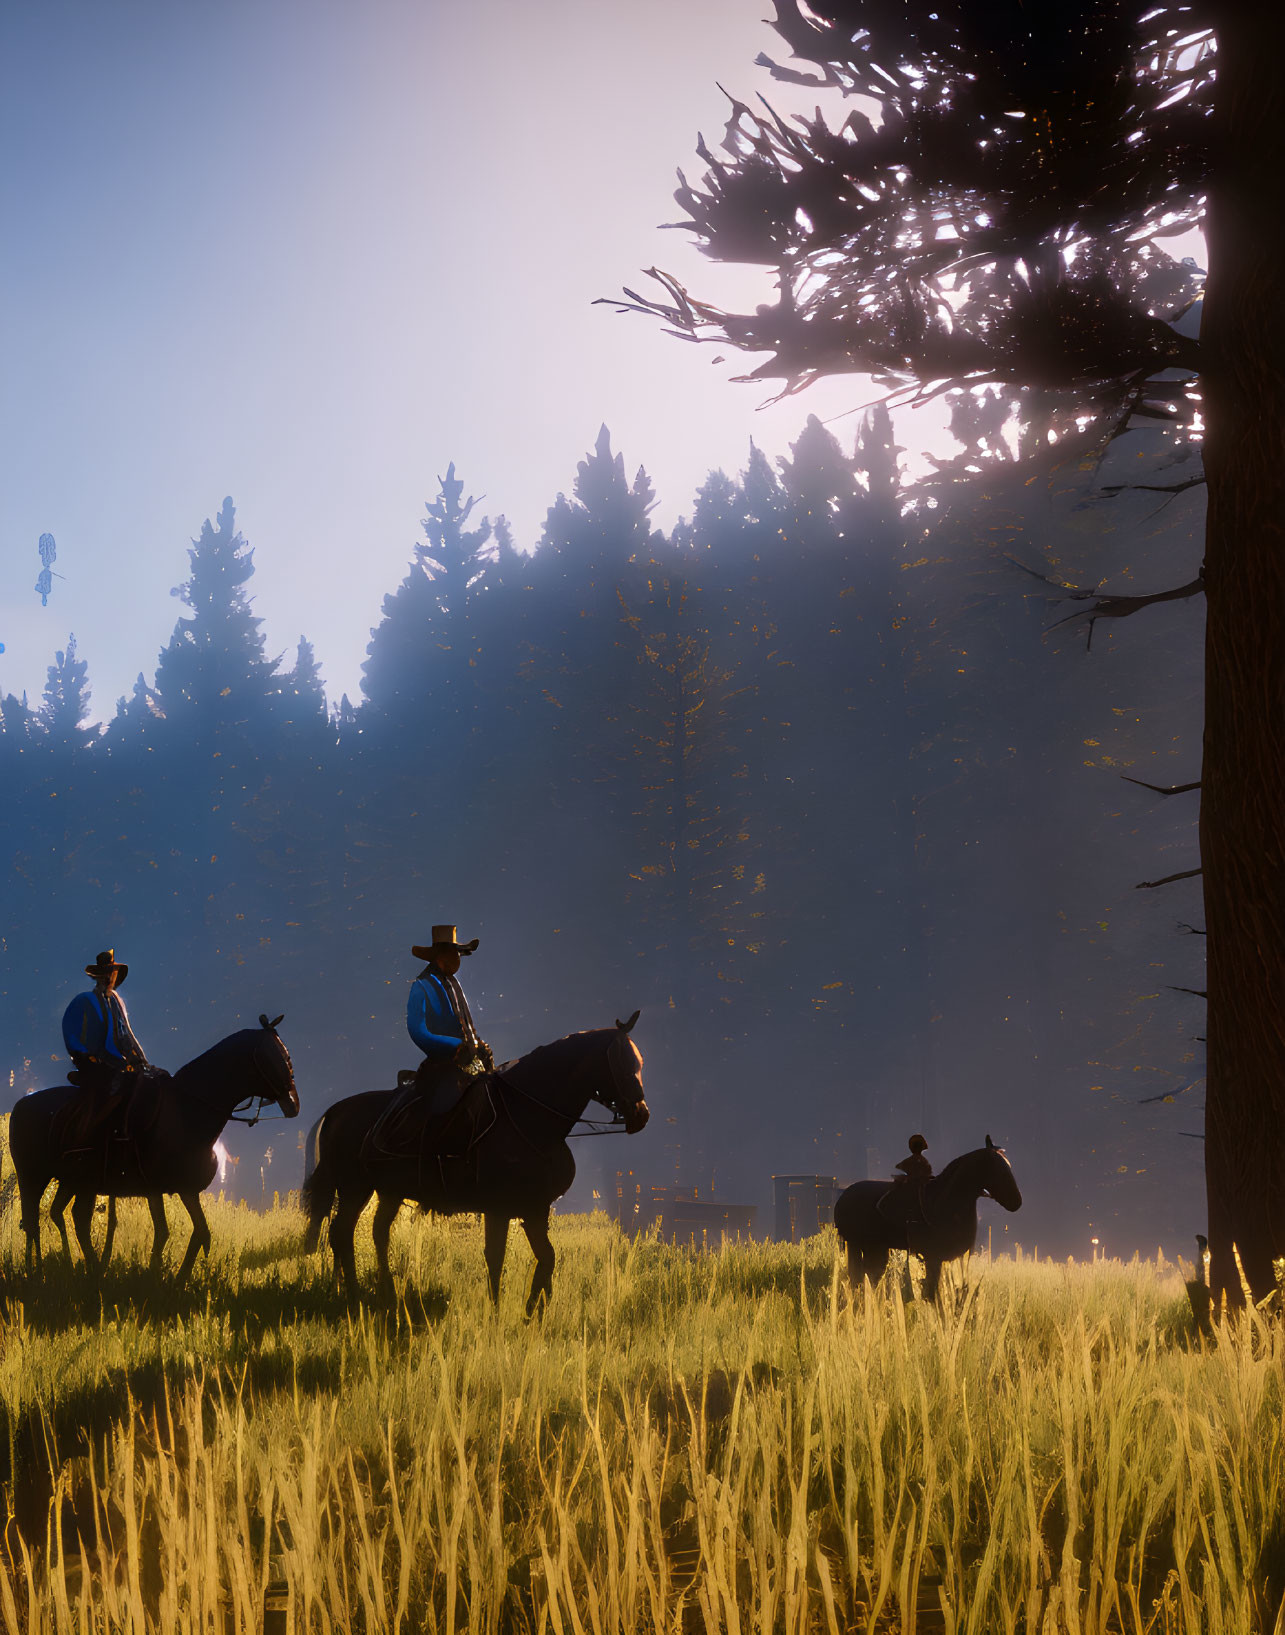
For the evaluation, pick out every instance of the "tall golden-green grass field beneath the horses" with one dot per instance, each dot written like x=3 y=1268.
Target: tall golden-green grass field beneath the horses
x=686 y=1443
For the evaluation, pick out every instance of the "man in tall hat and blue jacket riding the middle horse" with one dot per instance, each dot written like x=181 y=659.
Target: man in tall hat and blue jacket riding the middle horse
x=437 y=1018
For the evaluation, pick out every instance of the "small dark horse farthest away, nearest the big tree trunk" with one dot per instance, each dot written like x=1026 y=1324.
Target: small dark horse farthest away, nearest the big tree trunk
x=951 y=1216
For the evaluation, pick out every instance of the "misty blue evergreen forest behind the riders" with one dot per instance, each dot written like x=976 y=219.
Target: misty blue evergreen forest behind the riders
x=831 y=781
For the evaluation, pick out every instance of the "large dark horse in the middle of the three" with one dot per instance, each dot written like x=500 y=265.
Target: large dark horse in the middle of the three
x=516 y=1163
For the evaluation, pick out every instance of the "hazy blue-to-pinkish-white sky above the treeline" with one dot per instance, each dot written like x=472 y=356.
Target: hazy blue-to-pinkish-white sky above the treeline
x=307 y=254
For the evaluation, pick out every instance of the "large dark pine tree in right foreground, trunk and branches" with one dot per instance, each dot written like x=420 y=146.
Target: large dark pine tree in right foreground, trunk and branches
x=1003 y=226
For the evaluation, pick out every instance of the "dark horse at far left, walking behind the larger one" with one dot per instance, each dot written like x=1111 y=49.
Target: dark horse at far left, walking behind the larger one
x=177 y=1121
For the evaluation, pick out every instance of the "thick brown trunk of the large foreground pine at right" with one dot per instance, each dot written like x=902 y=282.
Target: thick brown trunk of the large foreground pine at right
x=1243 y=784
